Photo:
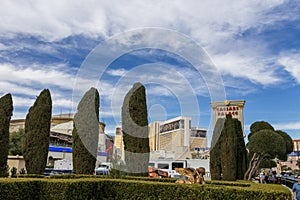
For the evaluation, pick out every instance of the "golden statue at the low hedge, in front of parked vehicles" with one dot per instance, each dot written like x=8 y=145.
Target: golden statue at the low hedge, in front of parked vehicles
x=195 y=176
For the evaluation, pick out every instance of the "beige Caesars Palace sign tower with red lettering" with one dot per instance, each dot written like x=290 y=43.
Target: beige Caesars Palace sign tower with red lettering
x=228 y=107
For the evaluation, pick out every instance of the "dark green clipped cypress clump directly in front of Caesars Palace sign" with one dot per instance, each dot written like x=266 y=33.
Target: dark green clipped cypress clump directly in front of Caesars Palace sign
x=229 y=152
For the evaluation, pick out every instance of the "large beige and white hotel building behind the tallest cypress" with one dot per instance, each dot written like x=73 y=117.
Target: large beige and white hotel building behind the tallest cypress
x=173 y=138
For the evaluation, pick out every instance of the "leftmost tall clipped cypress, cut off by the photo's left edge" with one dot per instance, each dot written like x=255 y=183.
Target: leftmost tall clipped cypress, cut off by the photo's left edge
x=6 y=109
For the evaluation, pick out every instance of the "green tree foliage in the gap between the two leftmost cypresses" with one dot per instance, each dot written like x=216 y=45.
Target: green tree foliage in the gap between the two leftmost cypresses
x=15 y=142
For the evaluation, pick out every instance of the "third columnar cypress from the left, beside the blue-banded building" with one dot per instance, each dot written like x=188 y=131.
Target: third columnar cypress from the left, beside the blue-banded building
x=85 y=133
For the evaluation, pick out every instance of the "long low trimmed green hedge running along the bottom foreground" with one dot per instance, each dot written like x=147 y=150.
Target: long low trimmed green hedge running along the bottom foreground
x=98 y=188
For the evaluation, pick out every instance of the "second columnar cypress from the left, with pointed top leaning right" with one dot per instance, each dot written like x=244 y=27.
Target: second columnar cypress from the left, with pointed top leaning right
x=37 y=134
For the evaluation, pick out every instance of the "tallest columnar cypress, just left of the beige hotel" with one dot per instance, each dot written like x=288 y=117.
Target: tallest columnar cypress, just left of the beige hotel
x=135 y=131
